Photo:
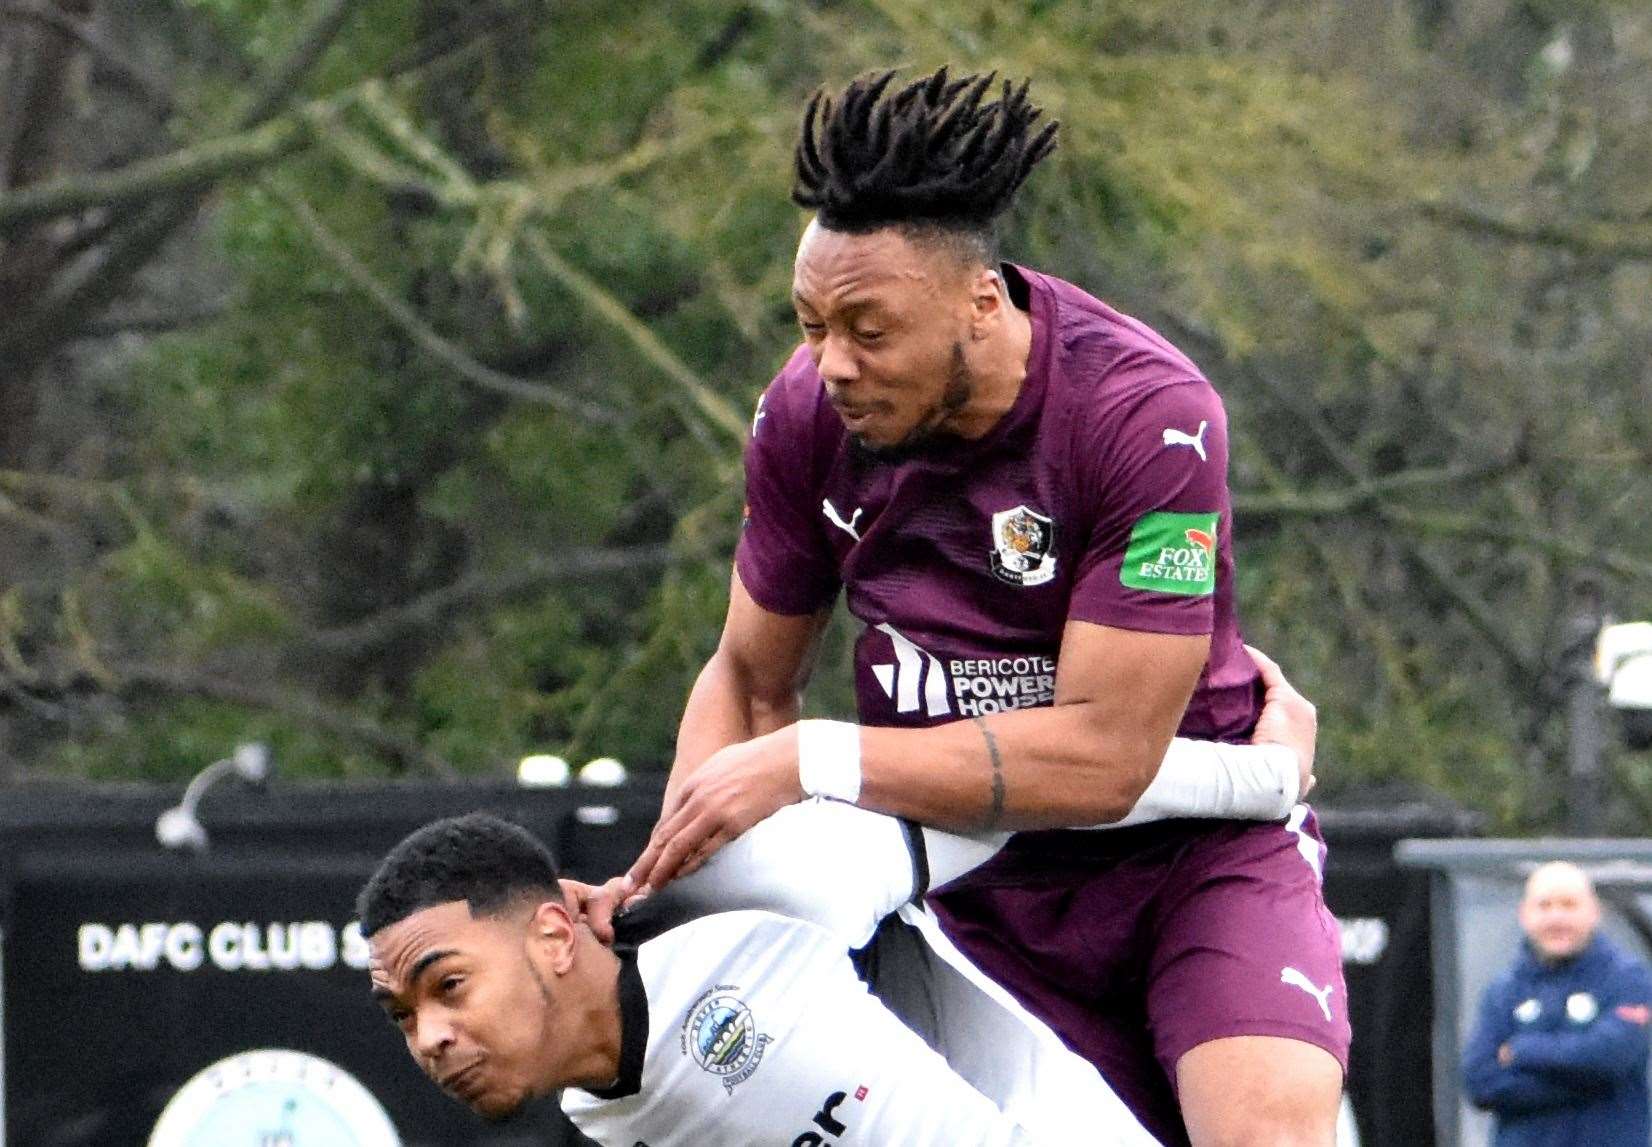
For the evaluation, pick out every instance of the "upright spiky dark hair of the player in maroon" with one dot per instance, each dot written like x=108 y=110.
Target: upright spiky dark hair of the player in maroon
x=929 y=156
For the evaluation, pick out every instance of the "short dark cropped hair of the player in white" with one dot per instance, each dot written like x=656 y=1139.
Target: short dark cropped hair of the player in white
x=482 y=860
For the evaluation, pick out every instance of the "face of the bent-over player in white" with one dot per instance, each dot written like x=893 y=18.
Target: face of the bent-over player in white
x=472 y=1004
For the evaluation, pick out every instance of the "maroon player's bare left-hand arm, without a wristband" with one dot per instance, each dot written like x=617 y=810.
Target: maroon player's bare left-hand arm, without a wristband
x=752 y=685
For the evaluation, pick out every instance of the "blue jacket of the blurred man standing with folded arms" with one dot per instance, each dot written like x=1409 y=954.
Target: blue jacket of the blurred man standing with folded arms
x=1578 y=1032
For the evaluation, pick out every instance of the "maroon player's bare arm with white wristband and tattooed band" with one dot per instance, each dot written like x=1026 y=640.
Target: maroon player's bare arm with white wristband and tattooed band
x=1083 y=761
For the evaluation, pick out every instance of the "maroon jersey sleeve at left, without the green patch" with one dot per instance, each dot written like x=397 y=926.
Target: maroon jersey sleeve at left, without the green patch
x=784 y=558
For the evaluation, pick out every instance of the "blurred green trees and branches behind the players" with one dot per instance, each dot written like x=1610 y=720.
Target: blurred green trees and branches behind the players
x=1261 y=181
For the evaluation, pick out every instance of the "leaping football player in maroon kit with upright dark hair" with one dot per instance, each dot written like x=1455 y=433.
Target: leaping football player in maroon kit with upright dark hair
x=1023 y=497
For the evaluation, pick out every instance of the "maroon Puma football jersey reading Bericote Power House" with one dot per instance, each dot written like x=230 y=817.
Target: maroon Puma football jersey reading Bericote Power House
x=1101 y=497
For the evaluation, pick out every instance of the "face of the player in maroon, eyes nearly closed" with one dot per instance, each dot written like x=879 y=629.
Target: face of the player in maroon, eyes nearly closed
x=886 y=321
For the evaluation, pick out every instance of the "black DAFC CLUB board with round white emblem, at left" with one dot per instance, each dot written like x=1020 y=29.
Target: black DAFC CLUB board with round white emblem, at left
x=130 y=971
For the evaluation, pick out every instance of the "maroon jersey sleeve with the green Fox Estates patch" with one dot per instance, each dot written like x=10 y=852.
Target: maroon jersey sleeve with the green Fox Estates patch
x=1157 y=488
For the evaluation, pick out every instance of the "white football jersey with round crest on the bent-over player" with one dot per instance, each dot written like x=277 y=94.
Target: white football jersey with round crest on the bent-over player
x=759 y=1030
